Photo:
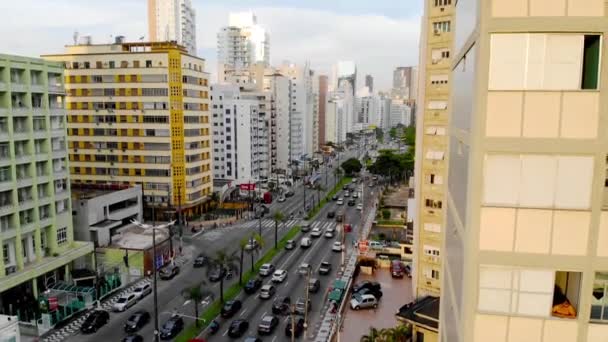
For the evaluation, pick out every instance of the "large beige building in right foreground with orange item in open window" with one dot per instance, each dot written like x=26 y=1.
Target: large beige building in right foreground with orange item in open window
x=526 y=240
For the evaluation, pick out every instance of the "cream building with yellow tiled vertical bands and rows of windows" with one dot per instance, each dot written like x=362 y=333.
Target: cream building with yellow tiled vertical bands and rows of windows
x=139 y=113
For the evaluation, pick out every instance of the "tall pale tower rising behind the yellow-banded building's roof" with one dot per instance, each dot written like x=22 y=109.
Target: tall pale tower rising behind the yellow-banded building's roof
x=172 y=20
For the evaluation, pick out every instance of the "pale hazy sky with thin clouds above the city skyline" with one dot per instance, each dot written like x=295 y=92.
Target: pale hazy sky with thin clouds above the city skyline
x=378 y=35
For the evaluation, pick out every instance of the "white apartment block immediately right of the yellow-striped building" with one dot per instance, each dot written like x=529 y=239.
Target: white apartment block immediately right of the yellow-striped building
x=240 y=134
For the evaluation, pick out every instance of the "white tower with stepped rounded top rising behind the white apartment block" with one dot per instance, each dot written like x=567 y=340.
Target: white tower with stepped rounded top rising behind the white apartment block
x=241 y=44
